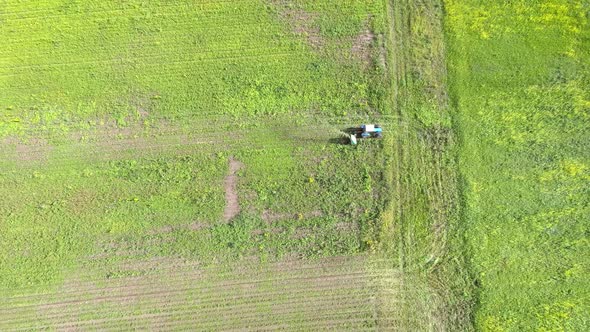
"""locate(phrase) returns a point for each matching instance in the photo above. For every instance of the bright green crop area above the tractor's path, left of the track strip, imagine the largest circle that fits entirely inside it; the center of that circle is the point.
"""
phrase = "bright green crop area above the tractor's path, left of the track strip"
(68, 66)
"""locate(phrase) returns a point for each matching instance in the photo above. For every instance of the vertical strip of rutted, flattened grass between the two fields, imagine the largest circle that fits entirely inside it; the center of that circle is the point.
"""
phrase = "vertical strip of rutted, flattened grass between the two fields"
(426, 229)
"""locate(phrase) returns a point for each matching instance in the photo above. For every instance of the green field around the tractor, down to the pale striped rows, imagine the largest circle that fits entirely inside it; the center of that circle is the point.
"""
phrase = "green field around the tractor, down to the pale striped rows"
(119, 120)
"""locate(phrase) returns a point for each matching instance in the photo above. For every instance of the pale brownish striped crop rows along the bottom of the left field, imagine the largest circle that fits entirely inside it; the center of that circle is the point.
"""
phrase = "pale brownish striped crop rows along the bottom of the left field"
(326, 289)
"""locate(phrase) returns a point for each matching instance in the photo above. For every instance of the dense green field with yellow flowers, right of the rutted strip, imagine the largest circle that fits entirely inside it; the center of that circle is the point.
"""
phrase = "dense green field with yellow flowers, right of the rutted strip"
(521, 82)
